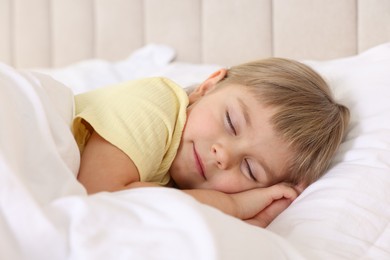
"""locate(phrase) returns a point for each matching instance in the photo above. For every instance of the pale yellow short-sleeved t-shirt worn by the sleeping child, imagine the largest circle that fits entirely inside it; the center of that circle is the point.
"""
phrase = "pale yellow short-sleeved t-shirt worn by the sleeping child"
(144, 118)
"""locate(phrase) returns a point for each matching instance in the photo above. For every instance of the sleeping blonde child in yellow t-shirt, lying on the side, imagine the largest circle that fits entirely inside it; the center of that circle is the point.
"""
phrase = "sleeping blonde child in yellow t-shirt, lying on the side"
(246, 141)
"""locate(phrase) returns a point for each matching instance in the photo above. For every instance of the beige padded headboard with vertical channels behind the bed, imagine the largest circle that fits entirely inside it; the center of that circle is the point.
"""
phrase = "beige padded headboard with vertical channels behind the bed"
(52, 33)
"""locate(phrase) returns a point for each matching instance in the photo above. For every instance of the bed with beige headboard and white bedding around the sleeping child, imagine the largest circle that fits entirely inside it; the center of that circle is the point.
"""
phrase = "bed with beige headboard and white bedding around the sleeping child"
(52, 49)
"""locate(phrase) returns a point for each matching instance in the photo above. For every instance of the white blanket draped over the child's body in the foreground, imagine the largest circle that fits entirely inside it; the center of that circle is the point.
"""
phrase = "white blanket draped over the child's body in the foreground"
(46, 214)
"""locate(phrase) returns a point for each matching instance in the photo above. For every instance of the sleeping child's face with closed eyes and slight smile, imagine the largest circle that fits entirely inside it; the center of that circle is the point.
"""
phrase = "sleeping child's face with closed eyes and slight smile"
(228, 143)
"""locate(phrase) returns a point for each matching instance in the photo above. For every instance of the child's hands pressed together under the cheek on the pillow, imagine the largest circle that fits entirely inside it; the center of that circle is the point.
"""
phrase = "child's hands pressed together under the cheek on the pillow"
(262, 205)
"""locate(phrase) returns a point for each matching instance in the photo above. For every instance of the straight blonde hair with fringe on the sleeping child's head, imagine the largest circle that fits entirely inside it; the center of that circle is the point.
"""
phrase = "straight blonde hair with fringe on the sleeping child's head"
(307, 117)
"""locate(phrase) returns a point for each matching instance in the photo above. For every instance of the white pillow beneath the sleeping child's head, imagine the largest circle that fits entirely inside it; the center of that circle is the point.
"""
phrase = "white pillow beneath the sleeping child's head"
(346, 214)
